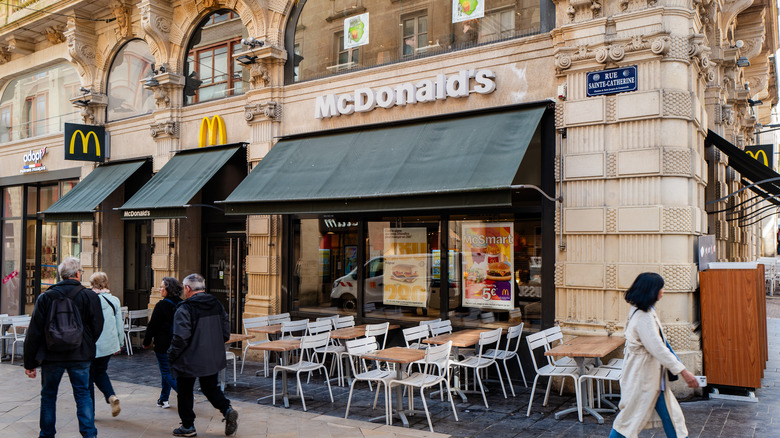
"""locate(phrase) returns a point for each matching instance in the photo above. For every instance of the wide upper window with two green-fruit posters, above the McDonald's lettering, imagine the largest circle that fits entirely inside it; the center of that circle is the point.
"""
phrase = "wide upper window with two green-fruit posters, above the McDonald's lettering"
(327, 37)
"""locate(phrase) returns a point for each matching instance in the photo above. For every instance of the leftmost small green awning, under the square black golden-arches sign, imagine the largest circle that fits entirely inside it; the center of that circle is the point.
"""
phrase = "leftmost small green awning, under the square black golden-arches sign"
(79, 204)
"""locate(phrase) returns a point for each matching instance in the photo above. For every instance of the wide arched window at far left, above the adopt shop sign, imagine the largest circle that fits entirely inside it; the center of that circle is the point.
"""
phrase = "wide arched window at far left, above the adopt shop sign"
(38, 103)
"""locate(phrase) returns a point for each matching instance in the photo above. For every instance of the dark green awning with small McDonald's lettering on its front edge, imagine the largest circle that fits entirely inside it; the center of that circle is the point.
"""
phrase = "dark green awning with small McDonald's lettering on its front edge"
(169, 192)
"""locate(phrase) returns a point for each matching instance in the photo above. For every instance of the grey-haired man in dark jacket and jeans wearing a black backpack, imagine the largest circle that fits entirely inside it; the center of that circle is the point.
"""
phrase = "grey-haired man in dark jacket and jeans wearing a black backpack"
(66, 322)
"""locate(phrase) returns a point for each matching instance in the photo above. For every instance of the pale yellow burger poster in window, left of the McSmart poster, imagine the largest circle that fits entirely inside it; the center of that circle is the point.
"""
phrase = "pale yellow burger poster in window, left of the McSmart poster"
(406, 267)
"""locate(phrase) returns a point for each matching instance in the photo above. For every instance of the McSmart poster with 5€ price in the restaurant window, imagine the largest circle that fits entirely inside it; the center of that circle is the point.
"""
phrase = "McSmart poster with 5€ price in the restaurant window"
(487, 265)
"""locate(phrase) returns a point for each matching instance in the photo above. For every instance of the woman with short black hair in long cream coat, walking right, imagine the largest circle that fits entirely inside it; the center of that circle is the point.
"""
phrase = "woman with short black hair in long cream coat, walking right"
(649, 361)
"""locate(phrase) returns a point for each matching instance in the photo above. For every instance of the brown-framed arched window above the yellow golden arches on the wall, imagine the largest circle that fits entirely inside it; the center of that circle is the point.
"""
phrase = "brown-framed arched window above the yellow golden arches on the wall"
(212, 72)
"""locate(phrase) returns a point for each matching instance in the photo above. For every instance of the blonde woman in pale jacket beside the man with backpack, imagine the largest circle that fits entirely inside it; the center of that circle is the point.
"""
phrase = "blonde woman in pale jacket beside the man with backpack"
(110, 342)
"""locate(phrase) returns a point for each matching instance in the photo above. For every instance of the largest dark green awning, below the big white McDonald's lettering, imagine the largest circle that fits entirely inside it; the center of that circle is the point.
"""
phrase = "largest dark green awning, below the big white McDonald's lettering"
(452, 162)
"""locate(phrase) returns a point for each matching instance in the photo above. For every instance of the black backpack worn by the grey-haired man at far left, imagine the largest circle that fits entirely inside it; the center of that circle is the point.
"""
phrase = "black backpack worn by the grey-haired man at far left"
(64, 329)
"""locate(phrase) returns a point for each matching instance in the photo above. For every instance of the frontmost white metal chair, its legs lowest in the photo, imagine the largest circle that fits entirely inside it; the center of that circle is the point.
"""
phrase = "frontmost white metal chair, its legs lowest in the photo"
(435, 371)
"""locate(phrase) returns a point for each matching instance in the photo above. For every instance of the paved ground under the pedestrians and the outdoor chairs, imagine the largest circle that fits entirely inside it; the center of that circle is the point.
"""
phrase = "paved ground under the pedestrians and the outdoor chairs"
(136, 380)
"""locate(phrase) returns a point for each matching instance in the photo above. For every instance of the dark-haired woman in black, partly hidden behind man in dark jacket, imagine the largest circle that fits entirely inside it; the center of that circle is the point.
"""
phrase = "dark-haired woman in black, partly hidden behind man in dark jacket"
(160, 329)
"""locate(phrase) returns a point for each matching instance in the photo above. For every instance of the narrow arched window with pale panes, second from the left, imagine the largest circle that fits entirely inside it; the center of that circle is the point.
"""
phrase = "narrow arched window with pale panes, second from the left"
(126, 95)
